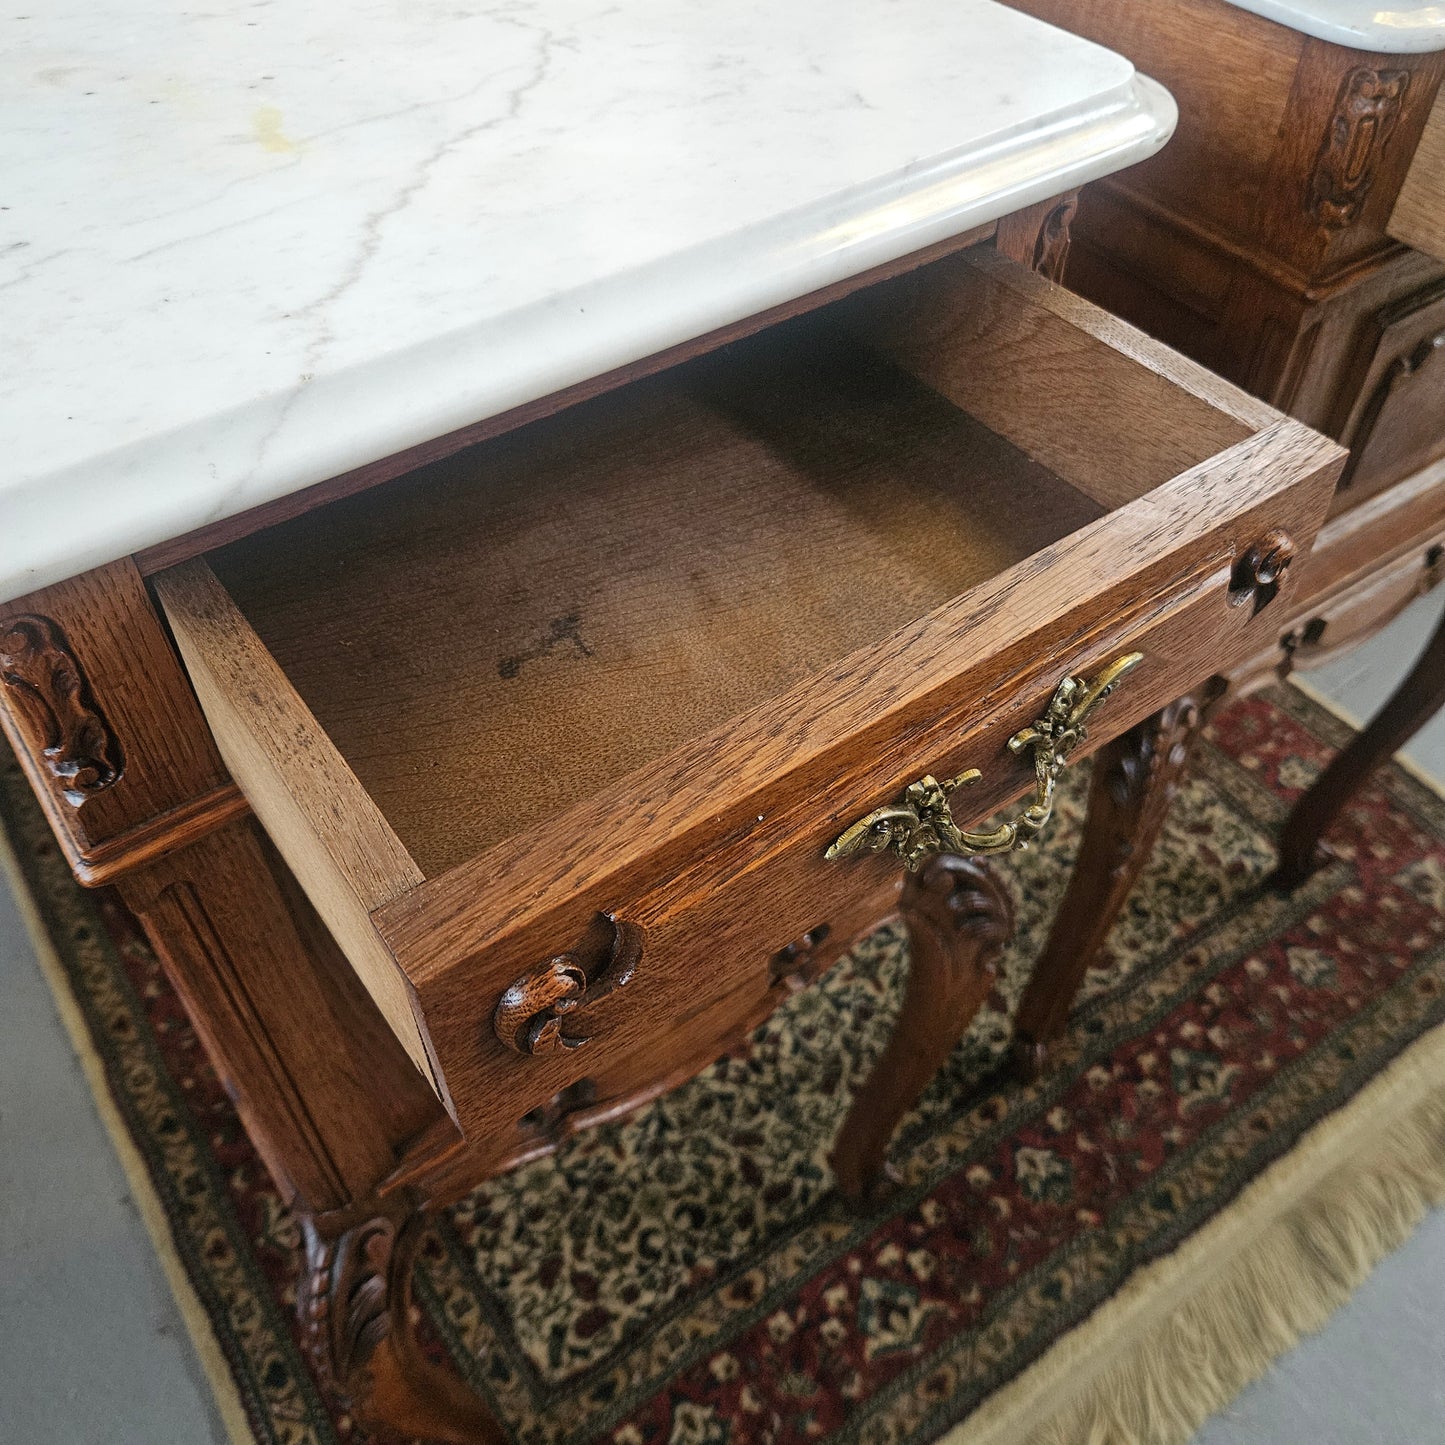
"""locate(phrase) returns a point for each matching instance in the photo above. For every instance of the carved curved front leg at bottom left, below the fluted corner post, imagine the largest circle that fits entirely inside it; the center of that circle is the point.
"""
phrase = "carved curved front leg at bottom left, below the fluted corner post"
(355, 1304)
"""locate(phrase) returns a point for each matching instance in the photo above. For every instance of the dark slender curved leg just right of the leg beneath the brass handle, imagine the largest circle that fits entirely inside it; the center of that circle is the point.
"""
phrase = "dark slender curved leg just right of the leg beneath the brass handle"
(1135, 781)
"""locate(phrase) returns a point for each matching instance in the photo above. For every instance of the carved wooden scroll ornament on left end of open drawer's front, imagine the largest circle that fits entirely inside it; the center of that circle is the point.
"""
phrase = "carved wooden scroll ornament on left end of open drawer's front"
(540, 1011)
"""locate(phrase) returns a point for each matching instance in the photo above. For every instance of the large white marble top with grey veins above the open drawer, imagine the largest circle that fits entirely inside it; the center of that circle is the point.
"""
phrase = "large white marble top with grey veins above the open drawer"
(249, 246)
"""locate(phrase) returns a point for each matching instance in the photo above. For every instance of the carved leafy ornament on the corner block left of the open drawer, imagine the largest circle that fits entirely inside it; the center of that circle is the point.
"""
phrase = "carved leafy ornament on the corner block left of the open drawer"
(54, 699)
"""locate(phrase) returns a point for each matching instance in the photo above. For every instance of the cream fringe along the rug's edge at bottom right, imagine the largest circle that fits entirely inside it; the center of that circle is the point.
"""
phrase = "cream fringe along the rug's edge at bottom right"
(1189, 1333)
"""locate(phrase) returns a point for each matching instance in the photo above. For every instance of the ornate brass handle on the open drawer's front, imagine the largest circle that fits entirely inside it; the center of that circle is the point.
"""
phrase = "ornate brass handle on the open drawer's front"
(923, 824)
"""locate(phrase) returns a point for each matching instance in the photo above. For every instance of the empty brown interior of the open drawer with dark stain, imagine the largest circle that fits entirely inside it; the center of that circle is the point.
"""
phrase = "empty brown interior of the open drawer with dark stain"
(502, 634)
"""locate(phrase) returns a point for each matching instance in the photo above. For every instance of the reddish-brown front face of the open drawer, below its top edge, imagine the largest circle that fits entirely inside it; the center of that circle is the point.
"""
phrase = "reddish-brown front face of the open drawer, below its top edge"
(722, 943)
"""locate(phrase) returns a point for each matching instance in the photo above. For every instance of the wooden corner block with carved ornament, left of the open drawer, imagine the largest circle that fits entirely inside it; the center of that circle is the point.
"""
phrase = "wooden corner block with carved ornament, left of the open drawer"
(105, 723)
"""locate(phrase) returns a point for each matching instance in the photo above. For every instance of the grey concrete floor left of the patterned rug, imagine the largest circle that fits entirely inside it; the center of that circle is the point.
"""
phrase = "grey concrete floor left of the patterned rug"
(93, 1350)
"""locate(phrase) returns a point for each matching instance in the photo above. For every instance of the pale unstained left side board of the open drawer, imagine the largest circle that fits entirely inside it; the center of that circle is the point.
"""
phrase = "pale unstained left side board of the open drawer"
(320, 817)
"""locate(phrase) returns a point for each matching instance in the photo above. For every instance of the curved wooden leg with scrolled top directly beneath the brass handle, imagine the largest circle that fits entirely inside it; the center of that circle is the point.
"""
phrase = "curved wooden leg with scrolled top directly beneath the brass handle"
(959, 920)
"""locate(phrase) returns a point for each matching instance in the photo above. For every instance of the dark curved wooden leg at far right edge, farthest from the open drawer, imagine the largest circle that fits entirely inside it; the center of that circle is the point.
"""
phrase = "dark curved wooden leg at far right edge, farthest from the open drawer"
(1418, 699)
